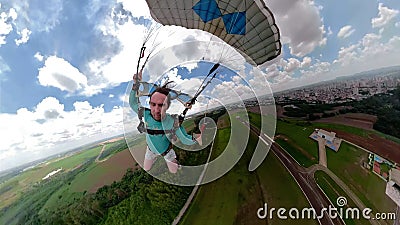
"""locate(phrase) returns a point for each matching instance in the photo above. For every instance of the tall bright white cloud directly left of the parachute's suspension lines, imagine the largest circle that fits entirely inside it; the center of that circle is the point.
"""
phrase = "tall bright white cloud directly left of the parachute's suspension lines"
(111, 70)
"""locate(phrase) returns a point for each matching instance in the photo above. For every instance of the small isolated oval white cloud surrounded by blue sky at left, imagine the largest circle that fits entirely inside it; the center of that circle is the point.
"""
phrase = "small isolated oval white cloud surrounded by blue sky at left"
(59, 73)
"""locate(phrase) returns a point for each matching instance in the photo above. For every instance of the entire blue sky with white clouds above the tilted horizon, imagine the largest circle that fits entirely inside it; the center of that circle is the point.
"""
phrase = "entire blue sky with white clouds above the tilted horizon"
(66, 66)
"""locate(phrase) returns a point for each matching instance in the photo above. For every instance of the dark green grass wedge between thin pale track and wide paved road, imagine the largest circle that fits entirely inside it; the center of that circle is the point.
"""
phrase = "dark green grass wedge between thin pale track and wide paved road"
(236, 197)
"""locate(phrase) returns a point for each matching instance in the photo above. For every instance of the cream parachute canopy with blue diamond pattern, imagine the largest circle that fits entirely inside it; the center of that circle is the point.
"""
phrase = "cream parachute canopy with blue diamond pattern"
(247, 25)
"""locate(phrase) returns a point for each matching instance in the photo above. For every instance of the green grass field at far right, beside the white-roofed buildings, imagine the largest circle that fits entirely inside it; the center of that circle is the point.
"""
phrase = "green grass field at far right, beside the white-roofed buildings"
(347, 165)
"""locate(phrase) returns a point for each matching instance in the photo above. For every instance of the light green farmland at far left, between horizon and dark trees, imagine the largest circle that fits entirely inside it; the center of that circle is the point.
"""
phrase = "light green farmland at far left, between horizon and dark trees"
(79, 174)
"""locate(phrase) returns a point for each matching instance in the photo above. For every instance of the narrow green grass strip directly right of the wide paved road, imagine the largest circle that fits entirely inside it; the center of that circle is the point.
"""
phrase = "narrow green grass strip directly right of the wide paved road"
(333, 191)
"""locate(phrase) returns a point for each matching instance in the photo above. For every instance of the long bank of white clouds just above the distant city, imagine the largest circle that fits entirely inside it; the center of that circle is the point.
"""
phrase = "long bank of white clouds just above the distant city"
(371, 52)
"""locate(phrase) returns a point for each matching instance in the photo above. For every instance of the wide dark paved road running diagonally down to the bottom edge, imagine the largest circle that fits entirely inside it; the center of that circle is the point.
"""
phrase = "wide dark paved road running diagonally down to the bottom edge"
(306, 182)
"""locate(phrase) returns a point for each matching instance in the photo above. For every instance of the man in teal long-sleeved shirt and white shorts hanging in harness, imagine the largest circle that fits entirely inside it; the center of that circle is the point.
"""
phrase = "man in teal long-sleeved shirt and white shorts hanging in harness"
(158, 120)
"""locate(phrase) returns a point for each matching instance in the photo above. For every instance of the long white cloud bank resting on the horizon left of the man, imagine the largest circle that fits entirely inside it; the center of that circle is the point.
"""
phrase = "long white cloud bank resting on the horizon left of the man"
(49, 129)
